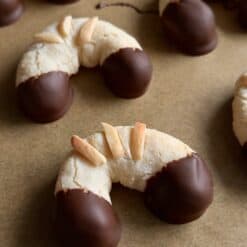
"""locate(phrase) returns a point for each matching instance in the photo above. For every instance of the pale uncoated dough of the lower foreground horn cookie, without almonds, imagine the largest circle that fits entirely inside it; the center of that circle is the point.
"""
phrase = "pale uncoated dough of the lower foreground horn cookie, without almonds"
(159, 150)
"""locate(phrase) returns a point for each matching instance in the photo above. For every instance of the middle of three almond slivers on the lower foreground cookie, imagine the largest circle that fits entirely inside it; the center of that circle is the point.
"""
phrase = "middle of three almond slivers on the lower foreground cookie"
(113, 141)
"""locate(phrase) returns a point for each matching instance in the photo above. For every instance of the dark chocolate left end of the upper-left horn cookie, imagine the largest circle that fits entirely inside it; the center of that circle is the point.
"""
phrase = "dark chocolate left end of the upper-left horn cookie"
(45, 98)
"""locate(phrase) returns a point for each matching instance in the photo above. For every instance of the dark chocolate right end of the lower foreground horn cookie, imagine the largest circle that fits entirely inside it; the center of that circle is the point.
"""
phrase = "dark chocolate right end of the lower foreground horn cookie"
(181, 192)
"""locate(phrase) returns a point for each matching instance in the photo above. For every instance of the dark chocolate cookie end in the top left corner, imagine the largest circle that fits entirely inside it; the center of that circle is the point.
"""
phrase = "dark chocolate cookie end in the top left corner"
(10, 11)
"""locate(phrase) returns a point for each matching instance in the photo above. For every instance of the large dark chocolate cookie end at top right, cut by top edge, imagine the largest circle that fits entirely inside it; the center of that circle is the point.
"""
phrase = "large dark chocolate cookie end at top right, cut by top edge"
(190, 26)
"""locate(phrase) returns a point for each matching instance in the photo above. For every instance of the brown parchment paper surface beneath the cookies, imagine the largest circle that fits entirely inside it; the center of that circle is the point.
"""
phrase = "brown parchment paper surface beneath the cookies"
(190, 97)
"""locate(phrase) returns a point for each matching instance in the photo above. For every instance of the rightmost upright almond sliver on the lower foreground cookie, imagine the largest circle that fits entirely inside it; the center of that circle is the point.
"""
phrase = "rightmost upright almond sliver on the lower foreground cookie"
(138, 140)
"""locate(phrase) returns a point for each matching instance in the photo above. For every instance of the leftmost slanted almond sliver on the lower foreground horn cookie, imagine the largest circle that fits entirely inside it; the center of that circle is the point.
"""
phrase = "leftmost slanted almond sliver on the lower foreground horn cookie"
(88, 151)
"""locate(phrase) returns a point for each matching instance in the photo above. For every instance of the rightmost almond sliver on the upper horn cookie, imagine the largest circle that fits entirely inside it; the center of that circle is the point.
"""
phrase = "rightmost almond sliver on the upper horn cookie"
(86, 31)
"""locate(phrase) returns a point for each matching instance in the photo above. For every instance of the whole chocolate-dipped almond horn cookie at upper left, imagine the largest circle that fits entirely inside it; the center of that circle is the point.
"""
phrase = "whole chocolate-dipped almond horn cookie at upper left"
(42, 81)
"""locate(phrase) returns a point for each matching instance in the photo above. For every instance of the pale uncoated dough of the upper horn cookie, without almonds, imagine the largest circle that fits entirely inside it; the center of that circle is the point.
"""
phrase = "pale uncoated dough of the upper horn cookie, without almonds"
(67, 55)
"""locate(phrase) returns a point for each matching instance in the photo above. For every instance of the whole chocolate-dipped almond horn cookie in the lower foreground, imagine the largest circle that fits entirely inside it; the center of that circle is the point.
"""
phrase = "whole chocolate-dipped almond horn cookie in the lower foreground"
(176, 183)
